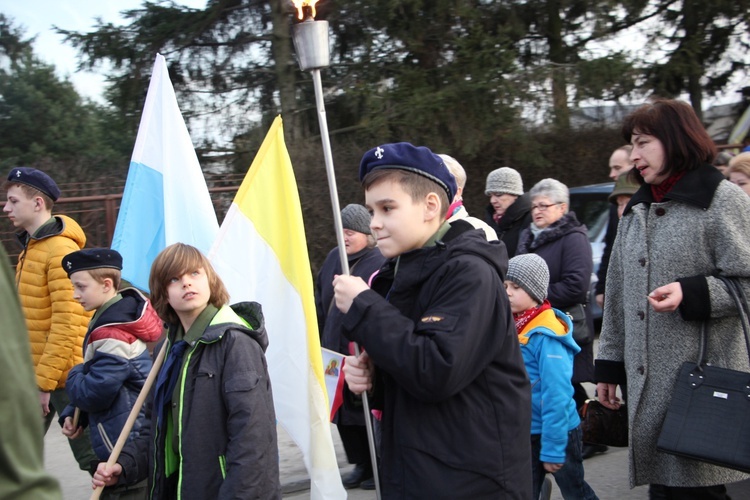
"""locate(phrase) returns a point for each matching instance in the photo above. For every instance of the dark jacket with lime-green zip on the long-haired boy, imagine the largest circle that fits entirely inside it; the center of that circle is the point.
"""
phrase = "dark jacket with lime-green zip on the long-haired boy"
(228, 438)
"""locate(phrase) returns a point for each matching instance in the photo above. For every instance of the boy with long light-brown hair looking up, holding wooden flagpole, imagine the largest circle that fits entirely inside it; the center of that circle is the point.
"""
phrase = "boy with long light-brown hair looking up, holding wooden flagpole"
(213, 426)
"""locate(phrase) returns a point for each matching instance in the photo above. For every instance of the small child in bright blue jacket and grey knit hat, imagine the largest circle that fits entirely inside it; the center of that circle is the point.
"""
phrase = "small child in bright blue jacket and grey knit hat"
(547, 345)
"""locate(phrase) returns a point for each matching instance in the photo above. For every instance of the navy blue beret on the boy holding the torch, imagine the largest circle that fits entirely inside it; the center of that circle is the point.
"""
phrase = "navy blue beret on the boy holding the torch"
(417, 159)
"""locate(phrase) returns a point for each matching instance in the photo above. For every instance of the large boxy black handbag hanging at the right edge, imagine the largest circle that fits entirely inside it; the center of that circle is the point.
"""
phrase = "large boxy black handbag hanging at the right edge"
(709, 416)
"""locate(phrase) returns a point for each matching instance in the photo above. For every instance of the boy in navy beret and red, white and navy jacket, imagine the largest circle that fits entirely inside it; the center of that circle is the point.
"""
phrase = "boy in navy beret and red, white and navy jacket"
(116, 358)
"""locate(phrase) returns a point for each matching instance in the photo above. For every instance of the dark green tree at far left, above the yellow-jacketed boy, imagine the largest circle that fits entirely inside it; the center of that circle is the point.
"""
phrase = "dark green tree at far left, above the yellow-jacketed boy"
(43, 118)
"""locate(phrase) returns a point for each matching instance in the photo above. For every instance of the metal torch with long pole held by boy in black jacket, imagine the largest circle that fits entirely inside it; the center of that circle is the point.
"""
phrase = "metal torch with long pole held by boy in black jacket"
(311, 41)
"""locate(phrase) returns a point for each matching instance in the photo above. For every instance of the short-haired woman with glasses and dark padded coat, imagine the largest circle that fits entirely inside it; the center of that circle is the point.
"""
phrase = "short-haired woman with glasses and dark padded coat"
(557, 236)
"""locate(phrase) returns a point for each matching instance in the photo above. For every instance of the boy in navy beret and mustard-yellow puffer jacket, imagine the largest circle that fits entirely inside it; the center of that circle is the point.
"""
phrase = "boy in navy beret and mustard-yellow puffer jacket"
(57, 323)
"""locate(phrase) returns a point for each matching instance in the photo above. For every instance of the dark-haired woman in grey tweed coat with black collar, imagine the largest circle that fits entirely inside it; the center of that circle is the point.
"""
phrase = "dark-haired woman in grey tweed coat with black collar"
(685, 225)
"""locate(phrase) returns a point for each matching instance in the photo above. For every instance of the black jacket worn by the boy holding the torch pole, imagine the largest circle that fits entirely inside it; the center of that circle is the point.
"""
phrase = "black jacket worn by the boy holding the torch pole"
(450, 377)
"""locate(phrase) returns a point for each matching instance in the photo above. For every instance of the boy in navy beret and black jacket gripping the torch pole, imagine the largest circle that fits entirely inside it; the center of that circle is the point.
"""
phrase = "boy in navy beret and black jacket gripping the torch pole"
(440, 351)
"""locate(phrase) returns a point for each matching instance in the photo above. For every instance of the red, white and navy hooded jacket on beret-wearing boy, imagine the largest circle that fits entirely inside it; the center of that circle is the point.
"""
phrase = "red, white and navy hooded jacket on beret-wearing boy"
(116, 364)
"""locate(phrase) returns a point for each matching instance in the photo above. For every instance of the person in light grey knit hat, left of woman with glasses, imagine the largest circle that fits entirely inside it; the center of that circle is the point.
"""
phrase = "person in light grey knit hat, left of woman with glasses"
(509, 210)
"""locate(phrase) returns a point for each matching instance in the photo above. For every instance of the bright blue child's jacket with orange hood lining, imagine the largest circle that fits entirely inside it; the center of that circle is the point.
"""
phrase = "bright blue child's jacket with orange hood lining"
(548, 348)
